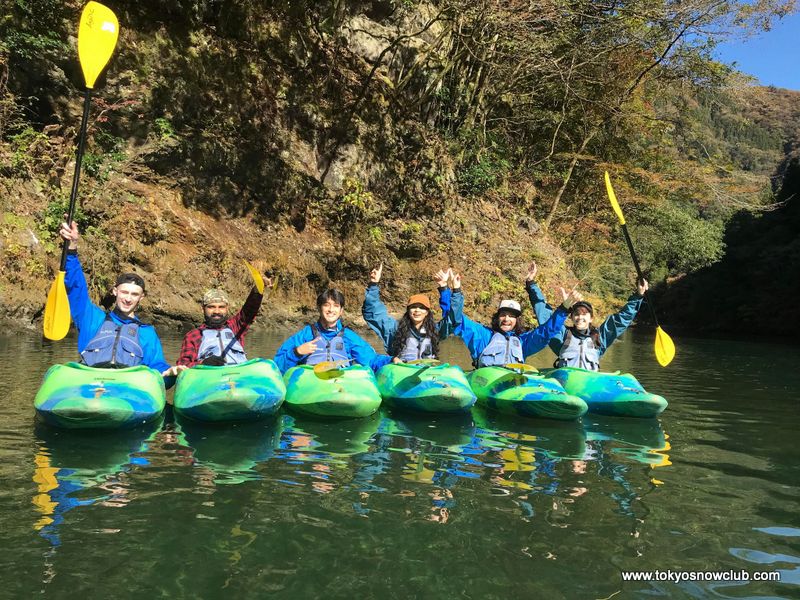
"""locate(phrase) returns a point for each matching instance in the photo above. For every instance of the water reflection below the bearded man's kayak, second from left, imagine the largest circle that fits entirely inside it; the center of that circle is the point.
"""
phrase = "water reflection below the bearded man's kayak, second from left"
(232, 450)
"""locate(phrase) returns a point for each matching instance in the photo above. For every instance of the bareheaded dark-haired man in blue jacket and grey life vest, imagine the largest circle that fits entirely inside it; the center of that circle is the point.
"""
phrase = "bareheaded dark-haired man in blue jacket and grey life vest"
(328, 340)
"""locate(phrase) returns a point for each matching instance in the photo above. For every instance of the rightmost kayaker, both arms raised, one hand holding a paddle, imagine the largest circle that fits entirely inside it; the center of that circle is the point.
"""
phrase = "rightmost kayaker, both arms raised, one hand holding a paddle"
(582, 345)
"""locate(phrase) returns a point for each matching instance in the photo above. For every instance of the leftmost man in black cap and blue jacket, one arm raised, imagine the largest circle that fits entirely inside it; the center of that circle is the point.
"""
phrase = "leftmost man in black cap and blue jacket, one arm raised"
(117, 338)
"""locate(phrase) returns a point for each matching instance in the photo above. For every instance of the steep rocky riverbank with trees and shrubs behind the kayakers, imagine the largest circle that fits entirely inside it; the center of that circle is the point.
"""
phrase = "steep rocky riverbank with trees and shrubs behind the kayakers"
(322, 138)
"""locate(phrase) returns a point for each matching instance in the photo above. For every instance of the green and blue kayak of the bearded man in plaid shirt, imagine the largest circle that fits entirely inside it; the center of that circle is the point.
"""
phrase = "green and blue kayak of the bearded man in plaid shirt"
(251, 390)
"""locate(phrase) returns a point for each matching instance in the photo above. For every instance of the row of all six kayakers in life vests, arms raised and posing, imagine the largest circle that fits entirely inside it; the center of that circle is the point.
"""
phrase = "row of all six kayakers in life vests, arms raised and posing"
(117, 338)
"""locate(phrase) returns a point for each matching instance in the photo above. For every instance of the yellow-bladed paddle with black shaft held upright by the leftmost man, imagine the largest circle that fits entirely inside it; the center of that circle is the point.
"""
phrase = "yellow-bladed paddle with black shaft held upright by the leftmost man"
(97, 37)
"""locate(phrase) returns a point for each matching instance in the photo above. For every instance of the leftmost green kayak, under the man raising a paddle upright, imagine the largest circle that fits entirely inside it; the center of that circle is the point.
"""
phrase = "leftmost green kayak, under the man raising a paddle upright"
(80, 397)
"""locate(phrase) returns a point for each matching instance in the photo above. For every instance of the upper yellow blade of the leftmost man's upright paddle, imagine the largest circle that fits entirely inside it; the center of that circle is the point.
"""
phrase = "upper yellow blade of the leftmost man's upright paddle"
(97, 38)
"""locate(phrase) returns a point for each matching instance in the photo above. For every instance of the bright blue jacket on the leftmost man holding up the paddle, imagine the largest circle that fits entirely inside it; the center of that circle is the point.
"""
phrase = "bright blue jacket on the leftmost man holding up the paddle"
(89, 317)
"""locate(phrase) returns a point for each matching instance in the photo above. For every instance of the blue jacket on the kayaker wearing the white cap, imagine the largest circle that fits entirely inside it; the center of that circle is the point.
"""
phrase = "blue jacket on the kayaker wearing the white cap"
(477, 336)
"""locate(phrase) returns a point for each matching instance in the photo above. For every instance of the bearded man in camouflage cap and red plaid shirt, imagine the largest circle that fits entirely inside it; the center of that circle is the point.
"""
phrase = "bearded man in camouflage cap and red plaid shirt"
(220, 339)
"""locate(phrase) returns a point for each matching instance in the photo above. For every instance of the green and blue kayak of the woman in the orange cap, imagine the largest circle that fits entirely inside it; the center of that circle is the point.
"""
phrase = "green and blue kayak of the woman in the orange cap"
(440, 388)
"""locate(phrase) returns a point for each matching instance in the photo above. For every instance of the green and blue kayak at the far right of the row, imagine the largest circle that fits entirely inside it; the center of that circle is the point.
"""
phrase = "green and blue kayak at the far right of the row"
(616, 394)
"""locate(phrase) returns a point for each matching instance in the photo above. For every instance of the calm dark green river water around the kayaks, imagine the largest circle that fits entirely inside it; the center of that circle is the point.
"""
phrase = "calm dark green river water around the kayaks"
(402, 507)
